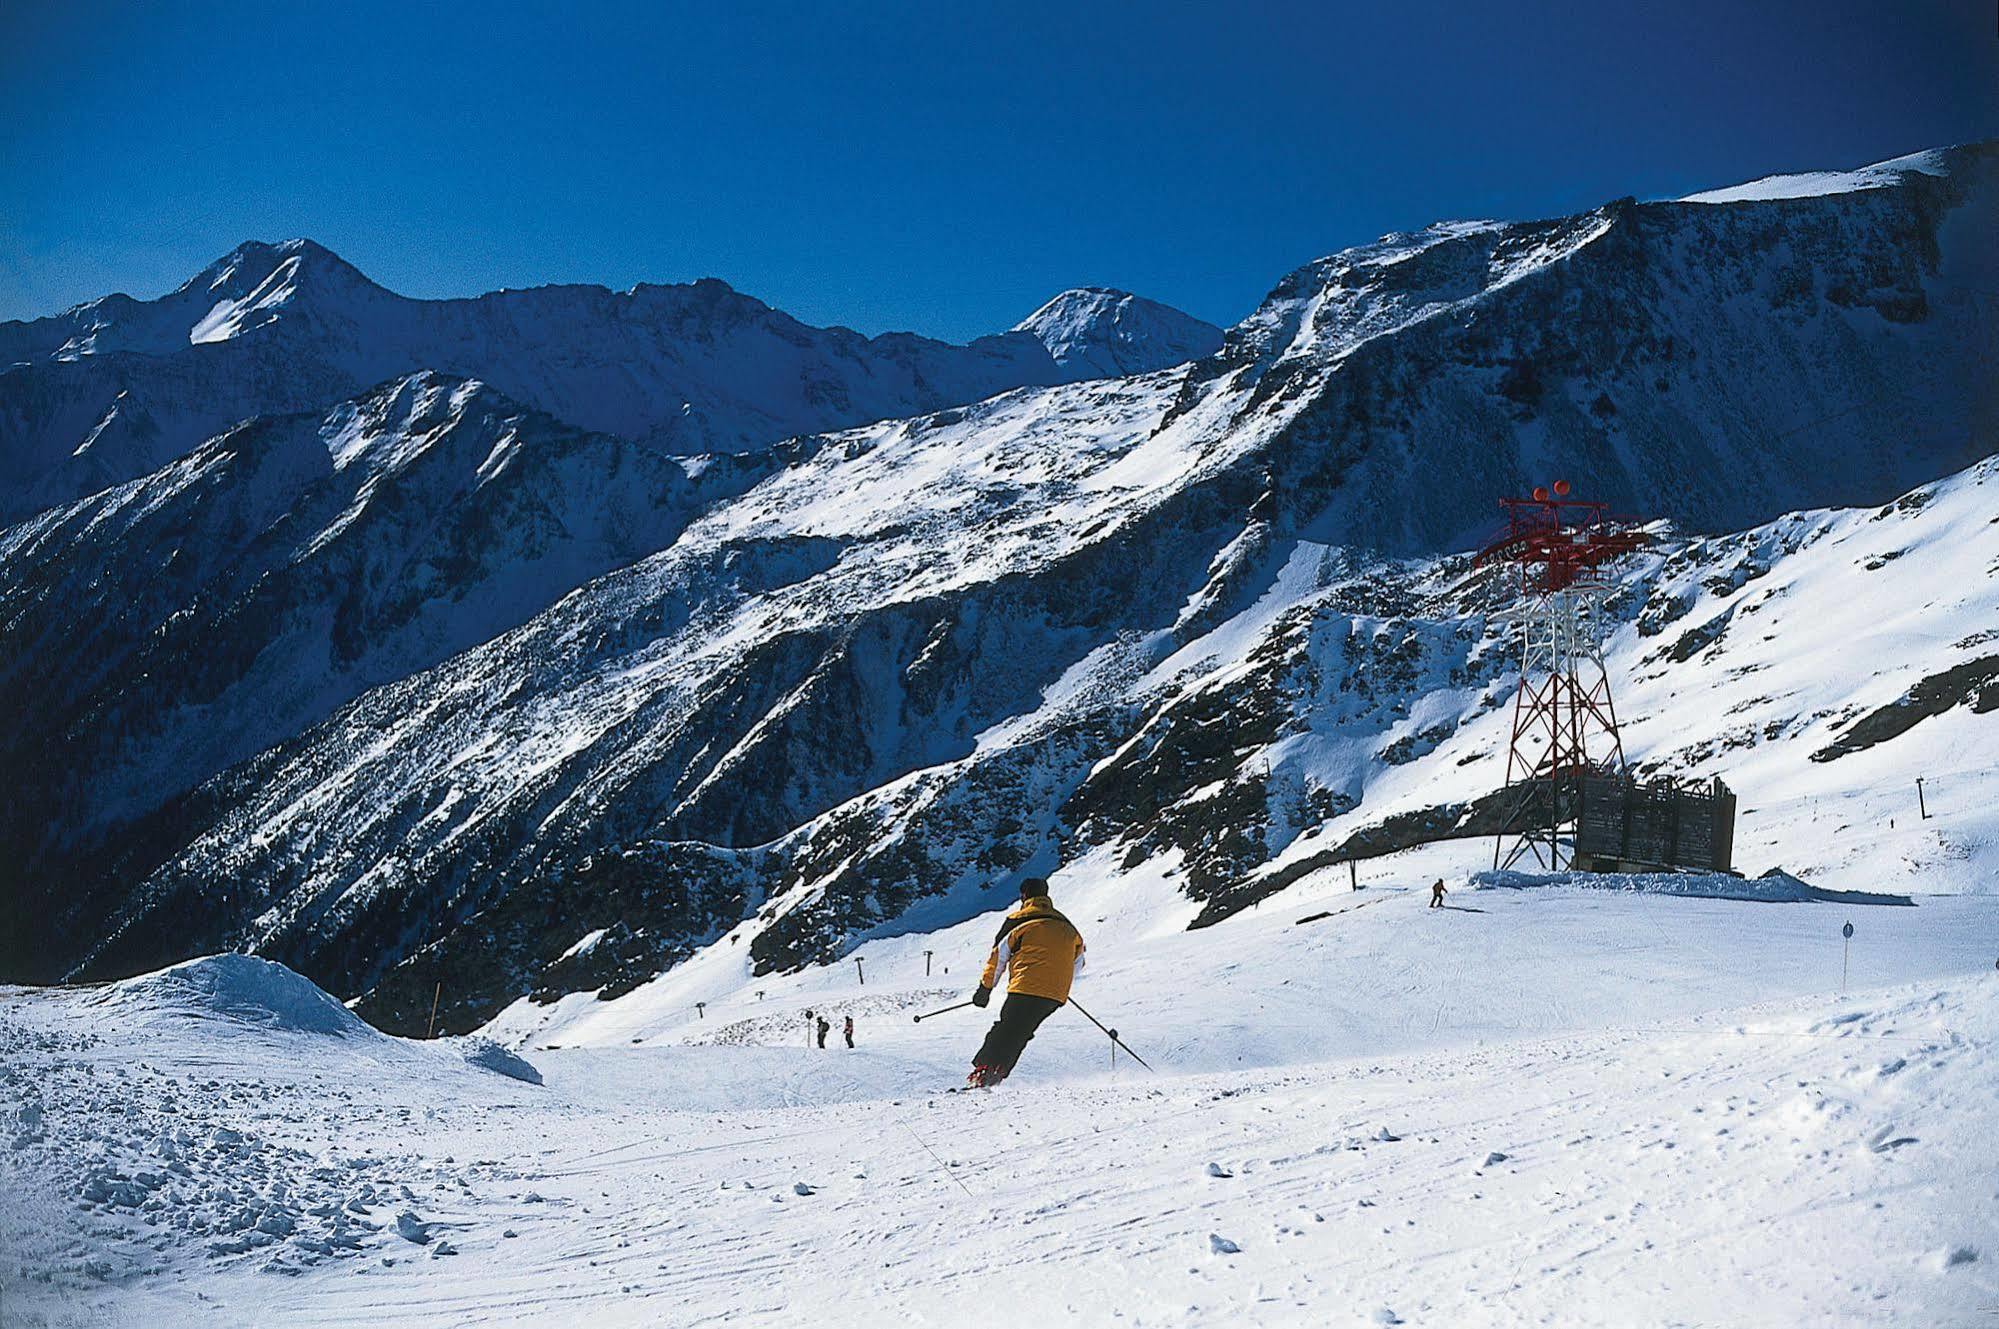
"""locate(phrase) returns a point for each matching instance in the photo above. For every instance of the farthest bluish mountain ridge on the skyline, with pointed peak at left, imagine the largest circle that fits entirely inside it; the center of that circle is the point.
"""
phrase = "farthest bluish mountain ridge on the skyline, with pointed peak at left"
(115, 389)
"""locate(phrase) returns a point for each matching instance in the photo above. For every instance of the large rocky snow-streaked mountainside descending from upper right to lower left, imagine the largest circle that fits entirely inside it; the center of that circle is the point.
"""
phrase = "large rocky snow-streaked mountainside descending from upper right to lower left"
(1204, 619)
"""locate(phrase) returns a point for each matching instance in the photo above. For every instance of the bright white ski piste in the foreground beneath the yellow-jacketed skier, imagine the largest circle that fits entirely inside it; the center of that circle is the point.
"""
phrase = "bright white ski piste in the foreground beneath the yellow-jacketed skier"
(1536, 1106)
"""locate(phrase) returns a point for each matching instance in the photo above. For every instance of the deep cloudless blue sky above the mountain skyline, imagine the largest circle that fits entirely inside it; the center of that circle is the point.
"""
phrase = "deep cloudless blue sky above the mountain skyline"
(931, 167)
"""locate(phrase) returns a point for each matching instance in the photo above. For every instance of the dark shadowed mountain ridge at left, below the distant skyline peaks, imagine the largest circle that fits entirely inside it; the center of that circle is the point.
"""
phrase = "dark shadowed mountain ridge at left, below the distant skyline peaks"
(173, 627)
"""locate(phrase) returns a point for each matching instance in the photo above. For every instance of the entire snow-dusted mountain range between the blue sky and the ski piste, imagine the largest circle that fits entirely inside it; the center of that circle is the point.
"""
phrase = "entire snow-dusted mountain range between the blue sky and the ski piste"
(411, 643)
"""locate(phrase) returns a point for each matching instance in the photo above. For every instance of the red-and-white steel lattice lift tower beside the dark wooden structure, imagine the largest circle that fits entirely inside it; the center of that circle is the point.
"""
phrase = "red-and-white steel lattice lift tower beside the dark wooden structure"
(1564, 722)
